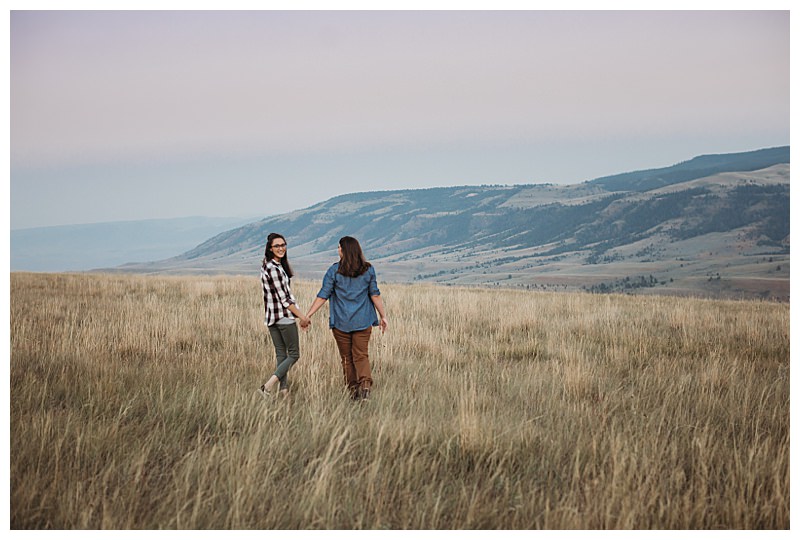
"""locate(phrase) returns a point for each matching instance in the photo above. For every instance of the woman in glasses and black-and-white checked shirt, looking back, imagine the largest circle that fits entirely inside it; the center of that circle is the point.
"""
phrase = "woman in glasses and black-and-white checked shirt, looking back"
(280, 312)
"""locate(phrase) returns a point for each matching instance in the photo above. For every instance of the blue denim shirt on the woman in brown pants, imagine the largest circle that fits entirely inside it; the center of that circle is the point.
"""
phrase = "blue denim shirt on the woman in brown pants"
(351, 307)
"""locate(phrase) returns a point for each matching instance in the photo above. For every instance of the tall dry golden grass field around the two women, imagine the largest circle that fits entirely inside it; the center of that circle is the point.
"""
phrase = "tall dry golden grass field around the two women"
(134, 406)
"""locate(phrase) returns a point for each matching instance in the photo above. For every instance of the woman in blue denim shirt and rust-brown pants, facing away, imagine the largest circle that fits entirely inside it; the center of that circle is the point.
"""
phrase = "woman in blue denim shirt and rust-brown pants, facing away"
(352, 288)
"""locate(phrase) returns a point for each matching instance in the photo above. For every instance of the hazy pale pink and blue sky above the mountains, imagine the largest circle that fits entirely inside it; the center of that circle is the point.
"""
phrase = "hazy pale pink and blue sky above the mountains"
(150, 114)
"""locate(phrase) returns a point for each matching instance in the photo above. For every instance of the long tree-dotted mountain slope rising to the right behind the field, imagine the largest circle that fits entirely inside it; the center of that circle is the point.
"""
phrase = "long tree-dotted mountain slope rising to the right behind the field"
(716, 225)
